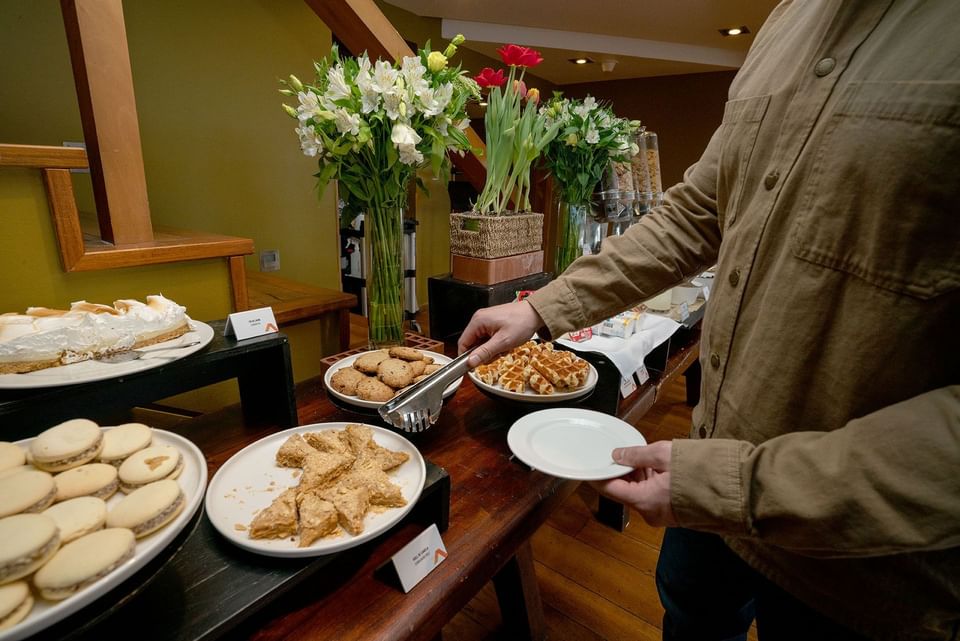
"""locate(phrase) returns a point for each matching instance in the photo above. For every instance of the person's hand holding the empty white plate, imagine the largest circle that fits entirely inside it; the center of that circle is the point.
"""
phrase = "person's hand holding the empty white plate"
(647, 487)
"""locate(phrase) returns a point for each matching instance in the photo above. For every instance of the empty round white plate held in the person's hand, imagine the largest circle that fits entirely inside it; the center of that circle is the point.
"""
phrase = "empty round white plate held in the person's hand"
(572, 443)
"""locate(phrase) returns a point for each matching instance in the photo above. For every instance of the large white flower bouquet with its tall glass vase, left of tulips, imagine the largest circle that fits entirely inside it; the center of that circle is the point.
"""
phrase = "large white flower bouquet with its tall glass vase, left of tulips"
(371, 126)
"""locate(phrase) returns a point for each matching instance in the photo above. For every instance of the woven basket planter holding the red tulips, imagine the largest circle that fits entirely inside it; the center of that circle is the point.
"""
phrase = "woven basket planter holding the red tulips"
(495, 236)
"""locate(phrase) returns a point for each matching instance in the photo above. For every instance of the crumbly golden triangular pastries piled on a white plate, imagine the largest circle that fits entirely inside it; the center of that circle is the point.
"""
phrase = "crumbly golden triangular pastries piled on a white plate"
(344, 475)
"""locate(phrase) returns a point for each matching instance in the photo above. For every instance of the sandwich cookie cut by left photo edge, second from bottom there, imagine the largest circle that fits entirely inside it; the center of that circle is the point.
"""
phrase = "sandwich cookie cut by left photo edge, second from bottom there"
(29, 541)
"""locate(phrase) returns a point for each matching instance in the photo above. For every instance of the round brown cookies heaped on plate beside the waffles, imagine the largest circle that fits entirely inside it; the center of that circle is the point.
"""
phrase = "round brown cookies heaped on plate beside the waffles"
(378, 376)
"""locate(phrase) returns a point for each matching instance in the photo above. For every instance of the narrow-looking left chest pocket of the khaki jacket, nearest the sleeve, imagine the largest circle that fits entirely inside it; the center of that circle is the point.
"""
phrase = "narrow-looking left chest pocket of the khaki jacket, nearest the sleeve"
(740, 125)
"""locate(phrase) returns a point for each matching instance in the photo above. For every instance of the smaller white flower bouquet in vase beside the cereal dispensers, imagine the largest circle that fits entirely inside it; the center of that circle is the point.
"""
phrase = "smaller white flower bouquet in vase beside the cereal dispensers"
(590, 137)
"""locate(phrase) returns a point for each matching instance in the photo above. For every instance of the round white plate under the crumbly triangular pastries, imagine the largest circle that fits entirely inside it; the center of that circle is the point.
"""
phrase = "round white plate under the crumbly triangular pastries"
(251, 479)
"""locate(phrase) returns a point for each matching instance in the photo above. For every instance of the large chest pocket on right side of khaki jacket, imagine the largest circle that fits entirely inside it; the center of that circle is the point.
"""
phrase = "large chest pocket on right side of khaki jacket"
(883, 192)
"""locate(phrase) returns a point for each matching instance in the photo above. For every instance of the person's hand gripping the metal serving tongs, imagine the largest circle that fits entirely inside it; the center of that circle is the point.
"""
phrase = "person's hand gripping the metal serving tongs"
(504, 326)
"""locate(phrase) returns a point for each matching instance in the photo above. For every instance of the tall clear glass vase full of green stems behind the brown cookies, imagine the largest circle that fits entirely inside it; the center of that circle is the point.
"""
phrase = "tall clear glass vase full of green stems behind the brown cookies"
(383, 271)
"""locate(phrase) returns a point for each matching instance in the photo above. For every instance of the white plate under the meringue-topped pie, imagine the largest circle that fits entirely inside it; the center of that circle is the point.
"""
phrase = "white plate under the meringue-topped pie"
(89, 371)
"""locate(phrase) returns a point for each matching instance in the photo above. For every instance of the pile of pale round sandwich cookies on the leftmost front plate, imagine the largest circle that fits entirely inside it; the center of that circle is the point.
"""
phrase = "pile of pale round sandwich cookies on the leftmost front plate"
(56, 527)
